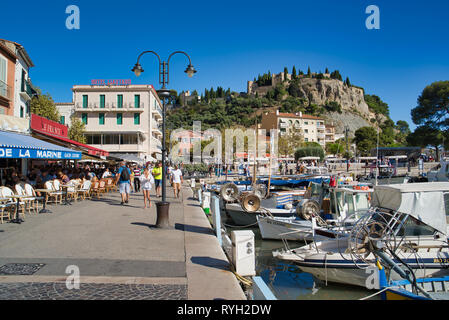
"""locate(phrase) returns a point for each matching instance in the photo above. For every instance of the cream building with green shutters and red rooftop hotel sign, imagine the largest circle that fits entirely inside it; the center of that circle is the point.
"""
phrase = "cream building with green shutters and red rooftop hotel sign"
(119, 117)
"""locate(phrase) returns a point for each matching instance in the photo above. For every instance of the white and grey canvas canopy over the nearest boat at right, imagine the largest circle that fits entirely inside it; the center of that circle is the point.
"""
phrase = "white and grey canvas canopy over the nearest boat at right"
(423, 201)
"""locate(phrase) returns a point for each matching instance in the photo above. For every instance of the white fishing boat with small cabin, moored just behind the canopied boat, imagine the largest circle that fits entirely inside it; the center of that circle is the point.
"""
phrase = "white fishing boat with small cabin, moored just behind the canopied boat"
(345, 206)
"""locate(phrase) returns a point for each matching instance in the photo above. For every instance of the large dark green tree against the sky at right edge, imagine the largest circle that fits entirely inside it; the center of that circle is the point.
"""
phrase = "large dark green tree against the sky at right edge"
(433, 106)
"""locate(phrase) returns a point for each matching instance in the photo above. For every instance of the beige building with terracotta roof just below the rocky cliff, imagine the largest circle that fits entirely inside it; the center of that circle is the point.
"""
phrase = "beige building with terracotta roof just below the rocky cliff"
(312, 128)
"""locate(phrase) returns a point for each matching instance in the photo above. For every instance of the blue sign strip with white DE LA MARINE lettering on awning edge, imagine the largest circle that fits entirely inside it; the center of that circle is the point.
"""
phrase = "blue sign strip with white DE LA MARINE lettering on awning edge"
(24, 153)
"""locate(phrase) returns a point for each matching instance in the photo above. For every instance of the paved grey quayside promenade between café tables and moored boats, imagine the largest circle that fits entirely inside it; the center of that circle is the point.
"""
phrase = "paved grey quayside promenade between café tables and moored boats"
(118, 251)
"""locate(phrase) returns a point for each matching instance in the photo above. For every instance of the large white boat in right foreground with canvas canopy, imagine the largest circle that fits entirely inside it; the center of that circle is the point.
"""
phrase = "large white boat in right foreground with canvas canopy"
(411, 216)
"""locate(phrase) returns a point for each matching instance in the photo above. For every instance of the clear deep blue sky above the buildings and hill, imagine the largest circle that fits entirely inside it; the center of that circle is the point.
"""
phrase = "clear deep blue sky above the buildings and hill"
(231, 42)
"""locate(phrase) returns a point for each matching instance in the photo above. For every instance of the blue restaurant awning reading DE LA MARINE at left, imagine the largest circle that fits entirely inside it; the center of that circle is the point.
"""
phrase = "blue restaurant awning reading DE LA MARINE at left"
(21, 146)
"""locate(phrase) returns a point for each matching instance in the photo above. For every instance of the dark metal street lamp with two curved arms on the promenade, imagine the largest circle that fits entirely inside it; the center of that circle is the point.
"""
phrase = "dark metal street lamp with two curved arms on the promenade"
(164, 94)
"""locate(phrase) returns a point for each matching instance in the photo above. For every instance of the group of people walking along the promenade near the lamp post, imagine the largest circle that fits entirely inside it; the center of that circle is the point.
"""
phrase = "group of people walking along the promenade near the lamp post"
(145, 180)
